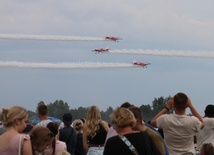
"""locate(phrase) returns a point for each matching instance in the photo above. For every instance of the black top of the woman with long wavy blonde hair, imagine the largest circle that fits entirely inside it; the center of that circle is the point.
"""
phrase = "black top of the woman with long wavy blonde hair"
(100, 136)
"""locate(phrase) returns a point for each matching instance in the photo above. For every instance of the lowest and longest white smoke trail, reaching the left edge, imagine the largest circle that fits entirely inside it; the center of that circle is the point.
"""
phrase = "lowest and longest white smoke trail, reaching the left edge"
(63, 65)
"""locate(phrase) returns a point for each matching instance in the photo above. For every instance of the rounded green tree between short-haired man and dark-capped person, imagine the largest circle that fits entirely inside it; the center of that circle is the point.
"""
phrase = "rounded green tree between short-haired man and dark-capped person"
(58, 108)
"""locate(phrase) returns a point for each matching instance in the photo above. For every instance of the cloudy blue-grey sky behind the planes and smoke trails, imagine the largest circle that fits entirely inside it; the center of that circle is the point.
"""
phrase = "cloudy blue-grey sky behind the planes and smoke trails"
(175, 26)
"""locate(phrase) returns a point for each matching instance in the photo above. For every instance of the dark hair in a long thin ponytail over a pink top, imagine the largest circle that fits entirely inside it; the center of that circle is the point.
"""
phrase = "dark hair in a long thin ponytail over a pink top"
(53, 127)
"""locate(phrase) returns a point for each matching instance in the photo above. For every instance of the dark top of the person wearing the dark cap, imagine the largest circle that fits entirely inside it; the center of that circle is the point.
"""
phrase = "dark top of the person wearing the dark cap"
(69, 136)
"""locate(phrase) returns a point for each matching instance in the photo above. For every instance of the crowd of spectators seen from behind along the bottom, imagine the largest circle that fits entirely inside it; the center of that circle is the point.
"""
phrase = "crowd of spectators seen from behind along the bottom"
(127, 134)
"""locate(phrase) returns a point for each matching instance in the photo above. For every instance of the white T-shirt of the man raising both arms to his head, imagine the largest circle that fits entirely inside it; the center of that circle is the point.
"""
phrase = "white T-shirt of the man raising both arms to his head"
(179, 131)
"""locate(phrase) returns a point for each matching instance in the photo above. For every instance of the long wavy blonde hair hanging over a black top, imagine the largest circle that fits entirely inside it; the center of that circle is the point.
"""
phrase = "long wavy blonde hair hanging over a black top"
(92, 120)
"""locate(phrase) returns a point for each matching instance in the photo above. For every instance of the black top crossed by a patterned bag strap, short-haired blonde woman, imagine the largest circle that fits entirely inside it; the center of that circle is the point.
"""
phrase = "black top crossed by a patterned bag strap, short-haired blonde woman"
(141, 141)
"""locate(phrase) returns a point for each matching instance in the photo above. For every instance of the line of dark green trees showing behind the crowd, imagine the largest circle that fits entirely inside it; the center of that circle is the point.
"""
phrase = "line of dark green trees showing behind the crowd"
(59, 107)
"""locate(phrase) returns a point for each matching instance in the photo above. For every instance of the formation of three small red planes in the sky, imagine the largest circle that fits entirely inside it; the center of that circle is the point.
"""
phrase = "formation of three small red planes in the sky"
(115, 39)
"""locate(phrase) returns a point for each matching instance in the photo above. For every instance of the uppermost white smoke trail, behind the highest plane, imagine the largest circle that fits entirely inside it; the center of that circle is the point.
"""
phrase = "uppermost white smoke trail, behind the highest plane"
(47, 37)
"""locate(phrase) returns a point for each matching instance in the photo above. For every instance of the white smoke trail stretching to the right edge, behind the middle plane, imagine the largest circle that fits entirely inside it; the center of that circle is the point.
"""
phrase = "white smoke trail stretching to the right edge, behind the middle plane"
(172, 53)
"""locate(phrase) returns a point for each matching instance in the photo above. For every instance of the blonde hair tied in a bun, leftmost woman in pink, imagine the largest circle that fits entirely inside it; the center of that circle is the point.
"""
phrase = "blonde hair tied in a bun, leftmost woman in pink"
(9, 116)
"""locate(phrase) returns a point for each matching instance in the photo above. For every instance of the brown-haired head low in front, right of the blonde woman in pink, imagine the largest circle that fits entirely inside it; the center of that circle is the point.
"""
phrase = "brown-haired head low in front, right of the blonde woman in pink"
(41, 137)
